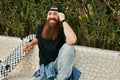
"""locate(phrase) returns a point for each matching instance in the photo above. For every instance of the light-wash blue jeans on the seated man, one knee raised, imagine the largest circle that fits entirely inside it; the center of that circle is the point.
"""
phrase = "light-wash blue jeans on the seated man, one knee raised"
(63, 63)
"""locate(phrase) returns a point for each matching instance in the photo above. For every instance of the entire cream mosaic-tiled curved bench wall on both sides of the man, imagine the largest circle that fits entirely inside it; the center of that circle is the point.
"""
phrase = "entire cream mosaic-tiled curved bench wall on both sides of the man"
(95, 64)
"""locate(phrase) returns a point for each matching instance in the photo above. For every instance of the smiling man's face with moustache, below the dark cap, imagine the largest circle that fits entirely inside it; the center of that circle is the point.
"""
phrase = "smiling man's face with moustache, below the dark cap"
(52, 17)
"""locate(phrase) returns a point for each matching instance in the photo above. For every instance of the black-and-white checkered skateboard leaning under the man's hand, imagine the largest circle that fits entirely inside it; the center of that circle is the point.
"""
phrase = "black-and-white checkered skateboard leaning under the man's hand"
(14, 58)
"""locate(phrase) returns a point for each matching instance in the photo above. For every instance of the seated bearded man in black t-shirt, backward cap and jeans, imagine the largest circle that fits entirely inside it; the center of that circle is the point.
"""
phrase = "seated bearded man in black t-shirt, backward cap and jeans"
(55, 40)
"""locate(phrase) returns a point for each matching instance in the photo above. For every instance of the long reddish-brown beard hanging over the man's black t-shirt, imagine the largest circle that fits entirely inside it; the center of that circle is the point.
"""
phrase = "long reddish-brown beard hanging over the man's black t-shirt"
(51, 30)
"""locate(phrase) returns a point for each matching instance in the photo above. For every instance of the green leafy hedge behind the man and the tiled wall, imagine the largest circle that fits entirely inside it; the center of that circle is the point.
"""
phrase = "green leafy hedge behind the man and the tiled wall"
(96, 22)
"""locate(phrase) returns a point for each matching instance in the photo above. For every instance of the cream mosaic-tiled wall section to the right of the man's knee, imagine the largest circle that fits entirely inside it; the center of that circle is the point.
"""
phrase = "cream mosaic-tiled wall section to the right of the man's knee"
(98, 64)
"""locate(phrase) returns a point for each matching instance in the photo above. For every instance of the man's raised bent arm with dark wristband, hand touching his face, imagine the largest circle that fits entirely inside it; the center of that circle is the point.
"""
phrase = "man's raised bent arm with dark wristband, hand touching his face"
(69, 33)
